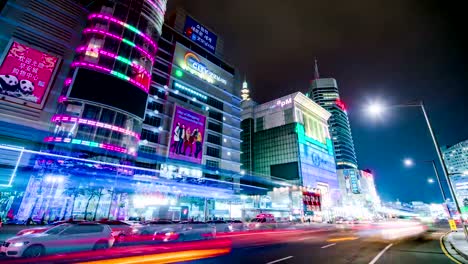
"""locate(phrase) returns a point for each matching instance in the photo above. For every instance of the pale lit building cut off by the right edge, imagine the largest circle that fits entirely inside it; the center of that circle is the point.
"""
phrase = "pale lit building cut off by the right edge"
(456, 161)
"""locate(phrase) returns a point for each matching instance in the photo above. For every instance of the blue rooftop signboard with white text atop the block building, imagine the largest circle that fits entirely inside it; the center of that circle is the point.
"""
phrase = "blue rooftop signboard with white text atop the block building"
(200, 35)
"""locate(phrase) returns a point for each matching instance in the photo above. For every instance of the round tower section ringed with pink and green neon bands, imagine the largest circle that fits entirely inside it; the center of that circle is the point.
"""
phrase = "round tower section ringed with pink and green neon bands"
(104, 98)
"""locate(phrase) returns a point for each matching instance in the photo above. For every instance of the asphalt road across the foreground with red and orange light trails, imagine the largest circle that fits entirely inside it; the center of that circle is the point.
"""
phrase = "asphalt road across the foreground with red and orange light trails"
(325, 244)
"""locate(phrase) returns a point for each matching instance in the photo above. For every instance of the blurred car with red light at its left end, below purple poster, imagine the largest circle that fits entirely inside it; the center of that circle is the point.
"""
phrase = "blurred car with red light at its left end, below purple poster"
(186, 230)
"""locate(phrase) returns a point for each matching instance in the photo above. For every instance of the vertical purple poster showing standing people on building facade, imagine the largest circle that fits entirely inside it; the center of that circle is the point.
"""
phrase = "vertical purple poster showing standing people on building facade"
(187, 135)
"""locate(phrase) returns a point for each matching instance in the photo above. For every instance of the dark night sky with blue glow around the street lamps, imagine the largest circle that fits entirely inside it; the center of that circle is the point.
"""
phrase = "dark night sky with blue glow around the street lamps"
(392, 51)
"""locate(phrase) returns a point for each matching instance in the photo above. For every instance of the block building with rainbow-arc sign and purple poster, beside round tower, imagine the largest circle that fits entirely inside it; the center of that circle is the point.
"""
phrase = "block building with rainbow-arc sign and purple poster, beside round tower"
(190, 75)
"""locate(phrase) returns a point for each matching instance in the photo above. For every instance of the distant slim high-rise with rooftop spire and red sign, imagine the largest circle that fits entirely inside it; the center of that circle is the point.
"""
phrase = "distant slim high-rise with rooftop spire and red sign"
(324, 91)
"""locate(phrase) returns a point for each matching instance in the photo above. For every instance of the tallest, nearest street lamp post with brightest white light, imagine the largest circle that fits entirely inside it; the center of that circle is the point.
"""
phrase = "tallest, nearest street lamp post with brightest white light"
(376, 109)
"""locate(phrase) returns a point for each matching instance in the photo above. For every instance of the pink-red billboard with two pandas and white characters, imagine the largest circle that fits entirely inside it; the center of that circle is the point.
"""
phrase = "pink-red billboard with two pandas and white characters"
(26, 74)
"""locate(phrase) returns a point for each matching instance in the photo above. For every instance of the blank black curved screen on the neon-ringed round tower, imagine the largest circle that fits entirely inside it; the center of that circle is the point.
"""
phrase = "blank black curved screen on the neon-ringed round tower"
(109, 90)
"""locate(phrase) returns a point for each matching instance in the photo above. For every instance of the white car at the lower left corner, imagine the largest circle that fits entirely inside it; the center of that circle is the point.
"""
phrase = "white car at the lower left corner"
(63, 238)
